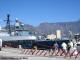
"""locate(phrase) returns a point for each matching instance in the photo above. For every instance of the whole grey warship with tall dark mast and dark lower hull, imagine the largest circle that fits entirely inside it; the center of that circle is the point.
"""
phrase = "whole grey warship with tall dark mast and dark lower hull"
(14, 35)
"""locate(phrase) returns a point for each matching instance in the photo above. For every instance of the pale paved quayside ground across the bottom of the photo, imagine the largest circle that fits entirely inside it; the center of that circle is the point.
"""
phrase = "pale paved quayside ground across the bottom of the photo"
(16, 54)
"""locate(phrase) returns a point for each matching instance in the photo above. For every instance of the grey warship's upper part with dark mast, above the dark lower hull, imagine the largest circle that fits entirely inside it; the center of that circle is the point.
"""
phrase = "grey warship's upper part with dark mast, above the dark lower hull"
(16, 31)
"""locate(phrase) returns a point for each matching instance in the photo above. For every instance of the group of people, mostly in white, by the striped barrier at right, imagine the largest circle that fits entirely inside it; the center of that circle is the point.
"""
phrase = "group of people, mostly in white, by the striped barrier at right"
(70, 46)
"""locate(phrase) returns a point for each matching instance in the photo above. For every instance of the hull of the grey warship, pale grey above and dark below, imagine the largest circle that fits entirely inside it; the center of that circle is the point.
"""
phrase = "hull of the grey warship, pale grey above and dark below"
(15, 41)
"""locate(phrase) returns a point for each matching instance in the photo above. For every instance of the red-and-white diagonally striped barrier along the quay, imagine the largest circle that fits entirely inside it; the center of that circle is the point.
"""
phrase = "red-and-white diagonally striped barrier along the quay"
(50, 52)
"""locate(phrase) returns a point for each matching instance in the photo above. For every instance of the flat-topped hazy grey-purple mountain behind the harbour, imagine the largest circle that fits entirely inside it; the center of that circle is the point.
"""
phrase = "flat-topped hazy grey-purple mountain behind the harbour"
(49, 28)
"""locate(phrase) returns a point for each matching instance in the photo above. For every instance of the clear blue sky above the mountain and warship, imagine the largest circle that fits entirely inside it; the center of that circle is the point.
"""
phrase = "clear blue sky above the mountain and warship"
(34, 12)
